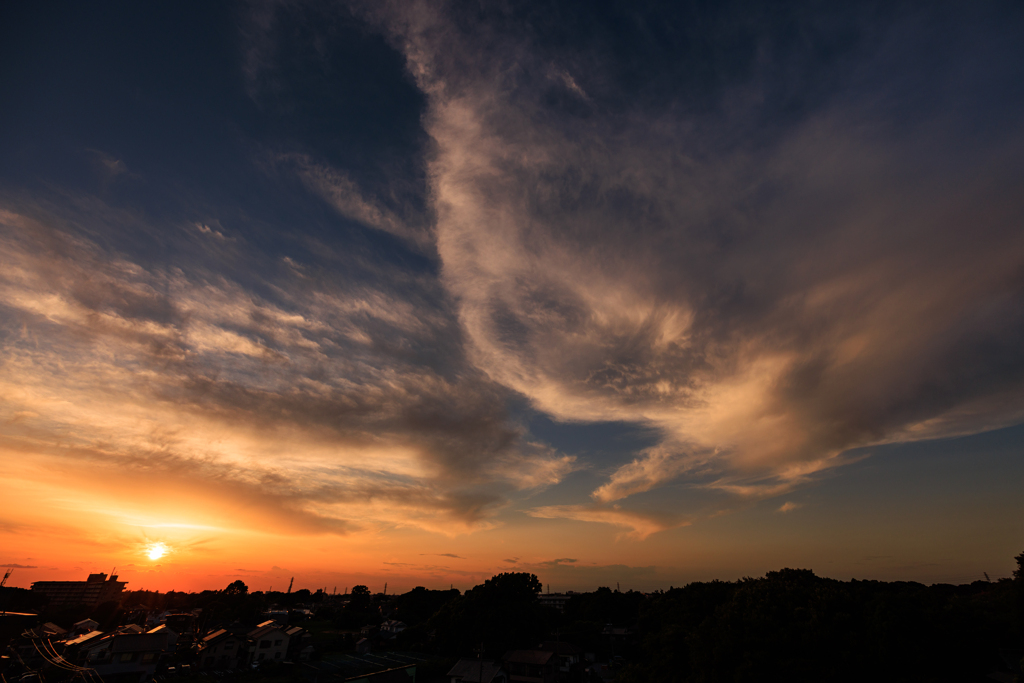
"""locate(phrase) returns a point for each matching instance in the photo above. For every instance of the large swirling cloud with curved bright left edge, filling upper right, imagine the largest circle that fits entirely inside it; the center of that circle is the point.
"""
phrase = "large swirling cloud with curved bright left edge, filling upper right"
(766, 292)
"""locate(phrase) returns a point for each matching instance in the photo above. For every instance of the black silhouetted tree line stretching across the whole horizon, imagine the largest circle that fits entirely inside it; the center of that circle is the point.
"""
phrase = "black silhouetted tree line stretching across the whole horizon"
(790, 625)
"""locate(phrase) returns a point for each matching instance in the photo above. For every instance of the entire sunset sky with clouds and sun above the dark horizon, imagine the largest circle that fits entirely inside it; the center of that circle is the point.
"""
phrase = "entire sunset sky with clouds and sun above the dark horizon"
(415, 293)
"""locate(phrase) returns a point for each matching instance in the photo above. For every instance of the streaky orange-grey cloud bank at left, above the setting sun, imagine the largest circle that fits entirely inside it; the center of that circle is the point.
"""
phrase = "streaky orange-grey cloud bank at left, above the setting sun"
(321, 407)
